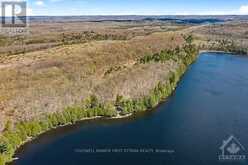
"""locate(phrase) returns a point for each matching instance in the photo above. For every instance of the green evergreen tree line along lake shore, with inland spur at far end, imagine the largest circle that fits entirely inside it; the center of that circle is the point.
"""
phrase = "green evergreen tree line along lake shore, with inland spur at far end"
(14, 136)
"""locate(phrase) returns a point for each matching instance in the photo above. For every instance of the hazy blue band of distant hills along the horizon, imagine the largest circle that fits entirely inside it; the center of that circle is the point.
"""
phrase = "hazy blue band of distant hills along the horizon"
(176, 19)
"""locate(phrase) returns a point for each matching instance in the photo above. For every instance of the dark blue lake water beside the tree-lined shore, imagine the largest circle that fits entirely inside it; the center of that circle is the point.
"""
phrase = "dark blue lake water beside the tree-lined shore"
(209, 105)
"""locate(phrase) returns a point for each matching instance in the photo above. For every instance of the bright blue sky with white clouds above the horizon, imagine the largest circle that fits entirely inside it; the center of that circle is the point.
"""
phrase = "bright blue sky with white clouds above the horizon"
(136, 7)
